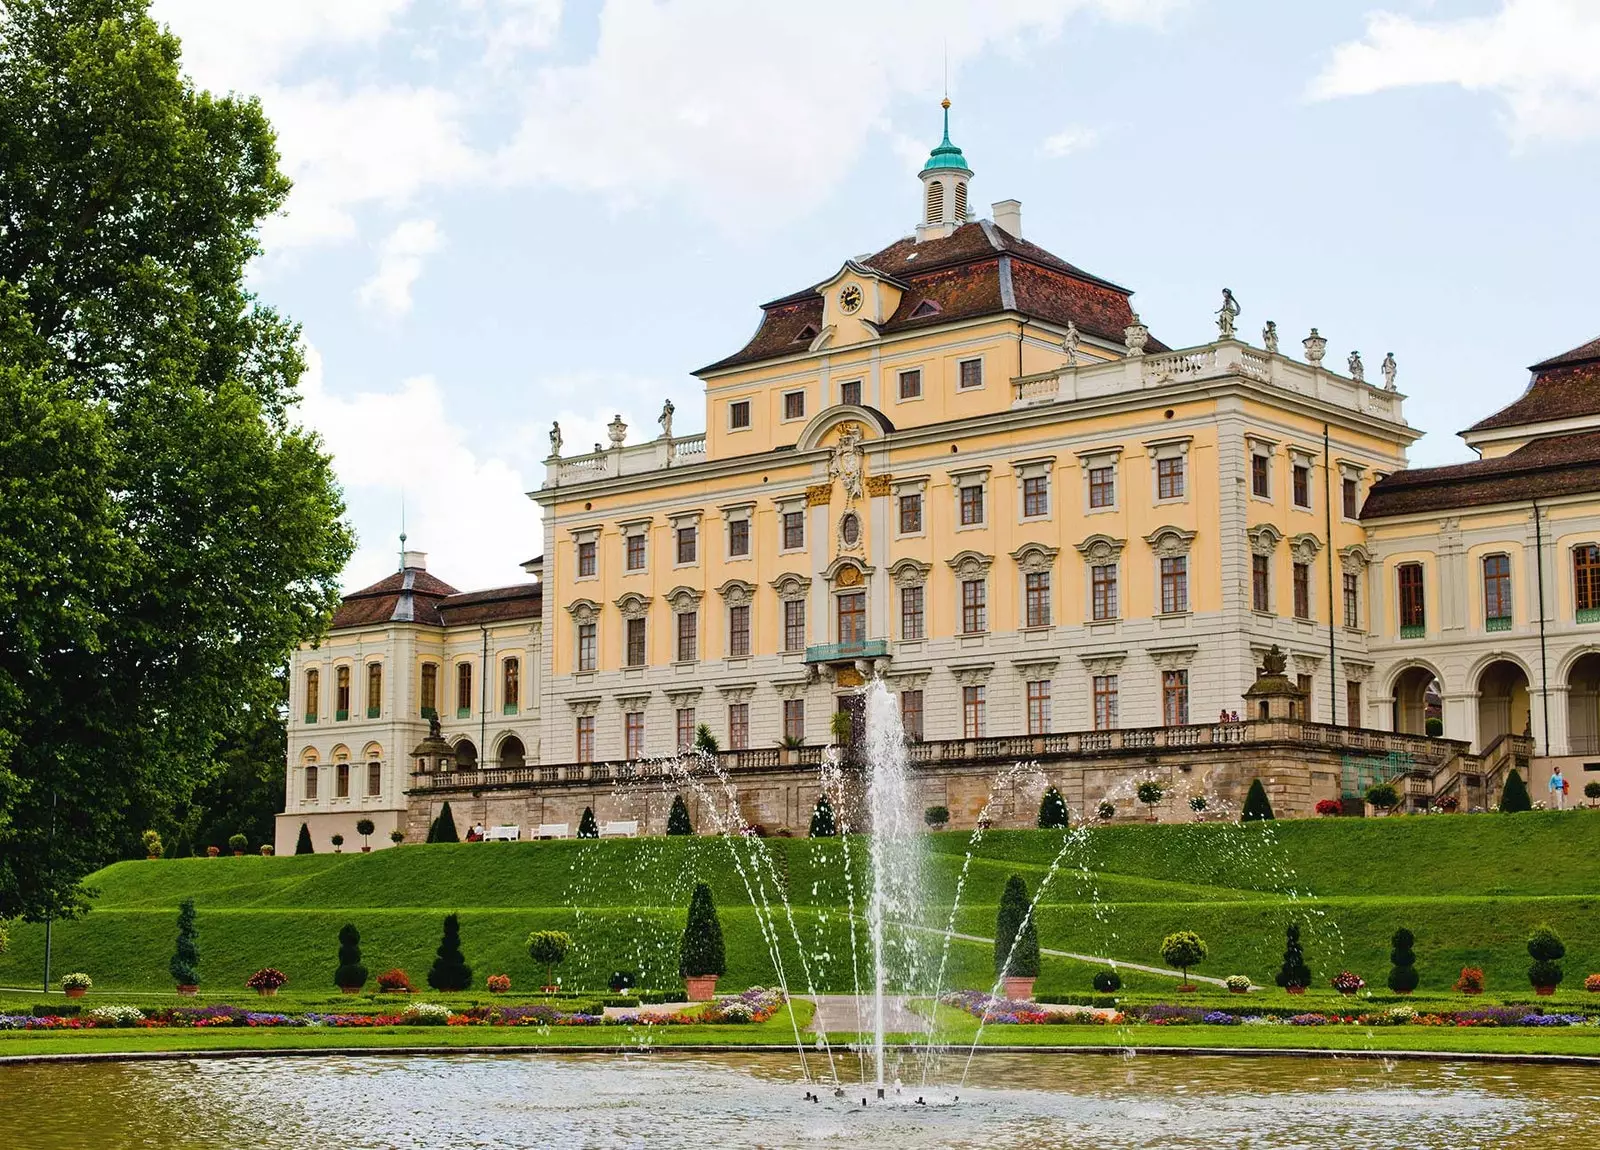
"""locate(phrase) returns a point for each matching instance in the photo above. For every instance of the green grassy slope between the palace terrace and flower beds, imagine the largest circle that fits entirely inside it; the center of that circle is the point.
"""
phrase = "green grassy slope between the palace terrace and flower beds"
(1462, 884)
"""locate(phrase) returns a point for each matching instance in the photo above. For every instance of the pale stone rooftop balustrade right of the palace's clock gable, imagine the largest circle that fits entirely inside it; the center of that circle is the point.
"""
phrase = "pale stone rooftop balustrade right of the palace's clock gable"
(1228, 357)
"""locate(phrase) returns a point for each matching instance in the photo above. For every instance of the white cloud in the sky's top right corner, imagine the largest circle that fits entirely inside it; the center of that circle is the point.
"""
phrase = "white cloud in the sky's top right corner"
(1540, 57)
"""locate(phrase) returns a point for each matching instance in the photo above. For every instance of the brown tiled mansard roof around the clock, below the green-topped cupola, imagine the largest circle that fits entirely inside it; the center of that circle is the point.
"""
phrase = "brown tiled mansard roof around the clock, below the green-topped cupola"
(978, 270)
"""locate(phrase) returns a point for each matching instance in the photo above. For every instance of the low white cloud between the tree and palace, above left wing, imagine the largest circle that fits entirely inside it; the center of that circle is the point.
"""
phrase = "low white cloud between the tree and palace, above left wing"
(466, 508)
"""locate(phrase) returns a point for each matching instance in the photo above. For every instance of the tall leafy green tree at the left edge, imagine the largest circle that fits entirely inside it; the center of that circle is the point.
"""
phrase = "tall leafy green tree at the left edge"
(169, 533)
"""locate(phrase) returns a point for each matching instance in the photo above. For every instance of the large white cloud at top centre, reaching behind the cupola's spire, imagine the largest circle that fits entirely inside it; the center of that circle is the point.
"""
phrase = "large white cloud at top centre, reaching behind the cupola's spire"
(721, 102)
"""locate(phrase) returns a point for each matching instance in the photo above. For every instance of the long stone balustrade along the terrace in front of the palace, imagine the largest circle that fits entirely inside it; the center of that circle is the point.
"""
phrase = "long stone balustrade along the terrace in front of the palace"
(993, 749)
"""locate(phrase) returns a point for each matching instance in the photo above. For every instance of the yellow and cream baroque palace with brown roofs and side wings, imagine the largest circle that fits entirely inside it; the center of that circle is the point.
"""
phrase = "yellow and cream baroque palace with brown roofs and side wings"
(969, 468)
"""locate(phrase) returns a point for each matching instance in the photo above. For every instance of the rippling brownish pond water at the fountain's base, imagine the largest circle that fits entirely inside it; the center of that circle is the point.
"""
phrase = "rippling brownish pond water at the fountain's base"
(1087, 1103)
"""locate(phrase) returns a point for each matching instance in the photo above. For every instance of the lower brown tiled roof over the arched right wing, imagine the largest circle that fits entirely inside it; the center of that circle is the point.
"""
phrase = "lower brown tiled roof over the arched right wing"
(1553, 466)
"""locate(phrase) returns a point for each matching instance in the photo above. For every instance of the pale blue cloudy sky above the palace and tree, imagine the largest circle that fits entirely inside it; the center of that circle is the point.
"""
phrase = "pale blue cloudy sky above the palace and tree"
(511, 212)
